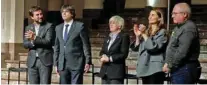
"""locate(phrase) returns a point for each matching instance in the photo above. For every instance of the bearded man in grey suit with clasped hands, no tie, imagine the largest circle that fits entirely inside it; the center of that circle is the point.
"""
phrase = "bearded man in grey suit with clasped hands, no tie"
(38, 39)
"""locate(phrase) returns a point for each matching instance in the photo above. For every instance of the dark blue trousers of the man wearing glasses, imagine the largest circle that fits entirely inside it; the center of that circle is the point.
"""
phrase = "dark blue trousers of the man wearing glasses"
(188, 74)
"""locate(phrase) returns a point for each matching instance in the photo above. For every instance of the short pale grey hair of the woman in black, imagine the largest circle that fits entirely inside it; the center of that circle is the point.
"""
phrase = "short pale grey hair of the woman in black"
(118, 21)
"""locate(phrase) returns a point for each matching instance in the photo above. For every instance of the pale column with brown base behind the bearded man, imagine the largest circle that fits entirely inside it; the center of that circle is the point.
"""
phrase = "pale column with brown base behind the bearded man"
(12, 28)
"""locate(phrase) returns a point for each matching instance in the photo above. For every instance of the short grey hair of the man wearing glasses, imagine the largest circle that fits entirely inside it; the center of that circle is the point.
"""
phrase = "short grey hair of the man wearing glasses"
(185, 8)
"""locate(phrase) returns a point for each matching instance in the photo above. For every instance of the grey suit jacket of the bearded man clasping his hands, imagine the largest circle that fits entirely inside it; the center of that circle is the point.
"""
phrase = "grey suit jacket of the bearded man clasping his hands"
(42, 44)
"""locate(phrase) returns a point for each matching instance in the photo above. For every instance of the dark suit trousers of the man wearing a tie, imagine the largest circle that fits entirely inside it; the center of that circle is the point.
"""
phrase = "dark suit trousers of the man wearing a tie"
(68, 76)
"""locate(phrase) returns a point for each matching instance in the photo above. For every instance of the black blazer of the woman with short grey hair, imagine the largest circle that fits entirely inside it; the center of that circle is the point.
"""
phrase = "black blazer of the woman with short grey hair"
(118, 51)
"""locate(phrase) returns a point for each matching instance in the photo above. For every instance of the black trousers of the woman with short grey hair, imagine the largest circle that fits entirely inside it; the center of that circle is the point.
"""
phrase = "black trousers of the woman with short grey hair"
(106, 80)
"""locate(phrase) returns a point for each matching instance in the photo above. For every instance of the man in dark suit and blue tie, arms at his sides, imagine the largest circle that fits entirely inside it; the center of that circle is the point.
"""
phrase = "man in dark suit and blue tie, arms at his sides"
(72, 48)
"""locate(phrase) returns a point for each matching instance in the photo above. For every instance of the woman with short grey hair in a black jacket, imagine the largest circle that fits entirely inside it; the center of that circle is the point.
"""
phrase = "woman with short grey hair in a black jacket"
(114, 53)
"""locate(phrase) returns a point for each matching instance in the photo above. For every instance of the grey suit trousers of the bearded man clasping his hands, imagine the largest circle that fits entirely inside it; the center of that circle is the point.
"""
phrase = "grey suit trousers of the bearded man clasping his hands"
(39, 73)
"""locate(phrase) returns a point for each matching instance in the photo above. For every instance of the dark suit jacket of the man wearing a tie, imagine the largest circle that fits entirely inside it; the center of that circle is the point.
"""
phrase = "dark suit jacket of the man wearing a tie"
(76, 50)
